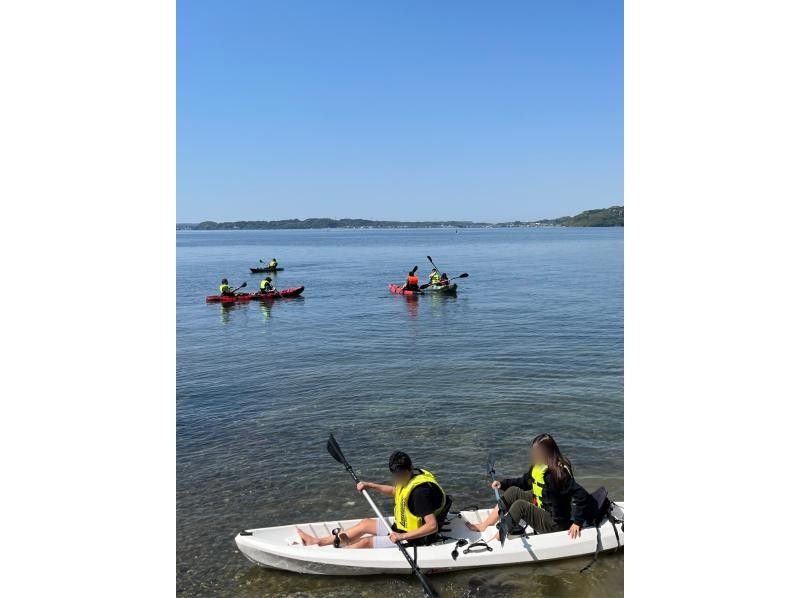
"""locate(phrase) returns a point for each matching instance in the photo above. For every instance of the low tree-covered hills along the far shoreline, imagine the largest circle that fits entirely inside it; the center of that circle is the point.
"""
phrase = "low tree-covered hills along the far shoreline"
(613, 216)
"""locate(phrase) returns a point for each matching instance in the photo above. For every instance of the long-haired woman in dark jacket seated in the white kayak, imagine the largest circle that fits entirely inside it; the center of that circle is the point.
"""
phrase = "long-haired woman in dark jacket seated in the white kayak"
(546, 497)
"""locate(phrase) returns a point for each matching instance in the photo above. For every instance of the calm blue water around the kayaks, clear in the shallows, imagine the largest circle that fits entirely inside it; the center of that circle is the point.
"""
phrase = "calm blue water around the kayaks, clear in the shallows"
(533, 342)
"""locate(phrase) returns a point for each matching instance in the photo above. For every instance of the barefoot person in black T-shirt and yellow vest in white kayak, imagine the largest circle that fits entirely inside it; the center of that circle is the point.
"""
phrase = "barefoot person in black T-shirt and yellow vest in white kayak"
(420, 505)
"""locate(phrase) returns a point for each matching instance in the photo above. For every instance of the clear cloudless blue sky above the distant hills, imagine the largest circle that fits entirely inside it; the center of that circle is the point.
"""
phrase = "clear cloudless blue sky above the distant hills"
(401, 110)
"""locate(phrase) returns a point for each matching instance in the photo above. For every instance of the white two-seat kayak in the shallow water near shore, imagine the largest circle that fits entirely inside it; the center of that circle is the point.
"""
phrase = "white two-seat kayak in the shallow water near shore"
(280, 548)
